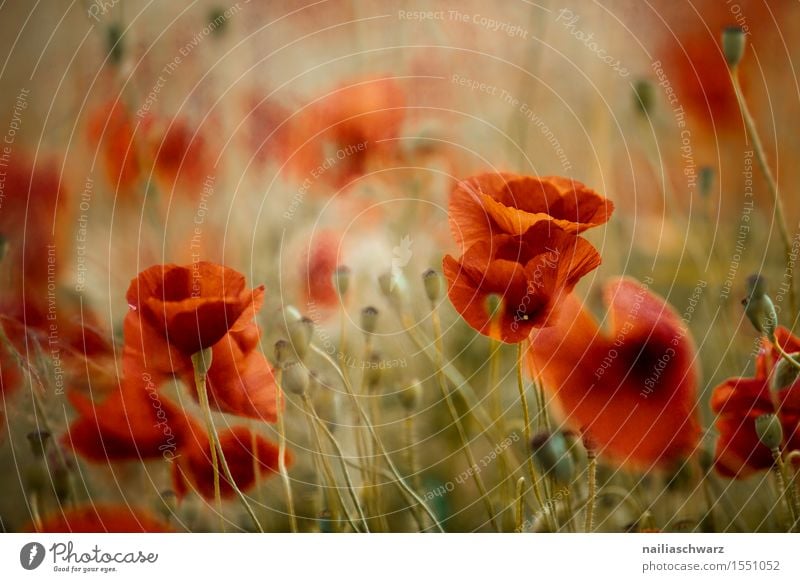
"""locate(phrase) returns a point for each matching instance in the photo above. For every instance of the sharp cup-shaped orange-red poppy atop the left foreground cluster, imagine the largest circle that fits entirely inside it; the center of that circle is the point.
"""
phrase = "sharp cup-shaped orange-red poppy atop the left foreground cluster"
(178, 311)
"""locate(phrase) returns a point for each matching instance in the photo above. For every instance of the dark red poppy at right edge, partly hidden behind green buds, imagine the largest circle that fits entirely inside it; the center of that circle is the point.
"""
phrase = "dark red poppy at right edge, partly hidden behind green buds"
(739, 401)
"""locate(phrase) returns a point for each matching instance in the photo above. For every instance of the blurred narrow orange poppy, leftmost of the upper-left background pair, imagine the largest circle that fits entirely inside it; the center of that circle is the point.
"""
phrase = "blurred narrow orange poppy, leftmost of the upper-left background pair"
(112, 129)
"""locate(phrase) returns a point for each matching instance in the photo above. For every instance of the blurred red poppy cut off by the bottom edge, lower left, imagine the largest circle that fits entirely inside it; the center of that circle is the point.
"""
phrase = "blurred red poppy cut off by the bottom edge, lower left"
(102, 519)
